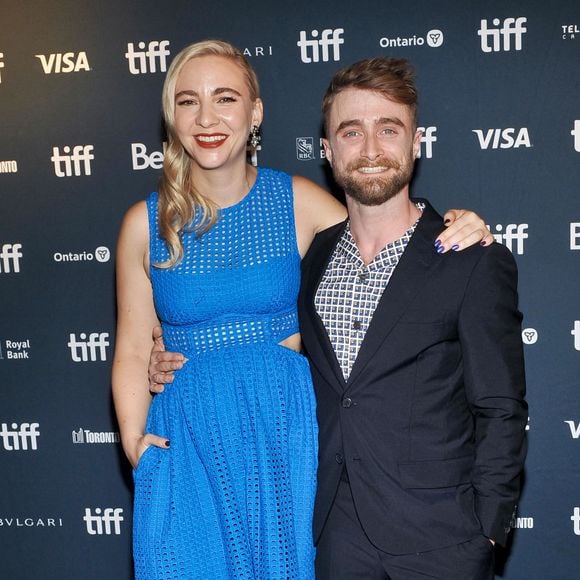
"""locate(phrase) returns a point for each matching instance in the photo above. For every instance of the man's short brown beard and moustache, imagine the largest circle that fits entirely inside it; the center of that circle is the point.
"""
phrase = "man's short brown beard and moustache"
(370, 190)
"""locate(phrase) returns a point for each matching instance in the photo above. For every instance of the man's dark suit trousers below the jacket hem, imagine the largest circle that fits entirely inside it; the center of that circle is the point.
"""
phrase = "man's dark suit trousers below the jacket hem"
(345, 553)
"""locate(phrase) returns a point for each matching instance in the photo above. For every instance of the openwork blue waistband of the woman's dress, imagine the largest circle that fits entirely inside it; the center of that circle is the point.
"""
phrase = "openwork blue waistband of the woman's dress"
(237, 331)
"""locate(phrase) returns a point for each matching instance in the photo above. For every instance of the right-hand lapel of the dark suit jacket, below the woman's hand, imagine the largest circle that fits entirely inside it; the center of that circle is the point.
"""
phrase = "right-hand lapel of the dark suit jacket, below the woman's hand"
(410, 275)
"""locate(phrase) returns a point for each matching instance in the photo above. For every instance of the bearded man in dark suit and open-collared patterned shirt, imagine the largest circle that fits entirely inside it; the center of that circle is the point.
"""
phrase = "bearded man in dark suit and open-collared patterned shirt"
(416, 359)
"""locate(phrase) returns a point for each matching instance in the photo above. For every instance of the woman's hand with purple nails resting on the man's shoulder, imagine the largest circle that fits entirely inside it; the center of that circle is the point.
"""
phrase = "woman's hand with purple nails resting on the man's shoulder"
(464, 228)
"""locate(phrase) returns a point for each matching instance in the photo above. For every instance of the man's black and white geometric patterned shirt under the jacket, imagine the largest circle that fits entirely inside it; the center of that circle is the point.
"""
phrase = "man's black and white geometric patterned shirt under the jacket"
(350, 290)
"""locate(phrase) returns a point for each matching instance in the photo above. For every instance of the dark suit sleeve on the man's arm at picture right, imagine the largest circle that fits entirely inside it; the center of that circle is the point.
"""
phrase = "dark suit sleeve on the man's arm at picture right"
(490, 334)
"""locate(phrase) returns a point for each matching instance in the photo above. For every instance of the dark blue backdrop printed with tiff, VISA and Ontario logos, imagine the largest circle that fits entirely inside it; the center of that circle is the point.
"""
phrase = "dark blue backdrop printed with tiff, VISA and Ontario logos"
(81, 139)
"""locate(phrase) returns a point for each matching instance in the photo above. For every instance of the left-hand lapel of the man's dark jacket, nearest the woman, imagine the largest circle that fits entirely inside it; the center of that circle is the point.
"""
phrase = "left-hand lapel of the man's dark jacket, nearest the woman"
(314, 335)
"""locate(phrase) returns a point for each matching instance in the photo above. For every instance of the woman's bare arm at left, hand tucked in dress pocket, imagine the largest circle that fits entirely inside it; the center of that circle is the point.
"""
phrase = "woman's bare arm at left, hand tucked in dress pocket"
(135, 319)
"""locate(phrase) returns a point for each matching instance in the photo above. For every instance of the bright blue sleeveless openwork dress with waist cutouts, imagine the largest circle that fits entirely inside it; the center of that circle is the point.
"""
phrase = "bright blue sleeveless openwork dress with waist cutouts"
(233, 496)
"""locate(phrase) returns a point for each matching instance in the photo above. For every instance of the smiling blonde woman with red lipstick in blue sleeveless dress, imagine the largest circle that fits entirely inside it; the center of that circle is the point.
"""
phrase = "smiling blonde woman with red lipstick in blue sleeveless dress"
(225, 457)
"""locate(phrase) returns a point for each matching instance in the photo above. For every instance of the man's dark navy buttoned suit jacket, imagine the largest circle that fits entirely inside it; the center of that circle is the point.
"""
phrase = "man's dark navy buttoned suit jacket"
(431, 423)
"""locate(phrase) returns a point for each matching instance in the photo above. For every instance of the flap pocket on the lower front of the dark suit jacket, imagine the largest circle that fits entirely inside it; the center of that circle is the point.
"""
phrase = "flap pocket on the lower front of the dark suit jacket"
(436, 474)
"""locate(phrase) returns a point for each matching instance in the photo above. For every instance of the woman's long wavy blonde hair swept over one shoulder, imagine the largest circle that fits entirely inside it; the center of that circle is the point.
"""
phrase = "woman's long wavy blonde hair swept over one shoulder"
(178, 197)
